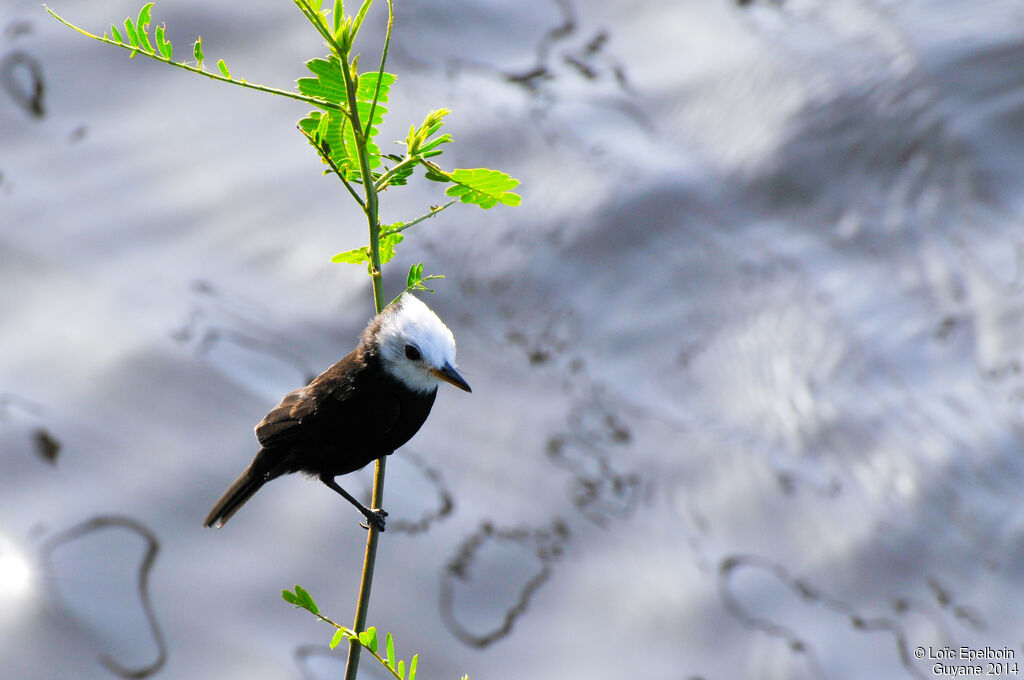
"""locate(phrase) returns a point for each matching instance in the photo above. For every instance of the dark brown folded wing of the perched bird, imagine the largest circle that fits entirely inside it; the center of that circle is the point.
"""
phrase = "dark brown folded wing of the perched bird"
(335, 403)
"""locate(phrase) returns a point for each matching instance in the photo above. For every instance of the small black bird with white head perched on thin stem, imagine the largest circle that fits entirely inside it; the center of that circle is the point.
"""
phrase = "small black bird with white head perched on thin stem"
(363, 408)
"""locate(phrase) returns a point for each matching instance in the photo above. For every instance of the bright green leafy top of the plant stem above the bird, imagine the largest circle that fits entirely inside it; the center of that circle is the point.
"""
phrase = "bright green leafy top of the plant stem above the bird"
(347, 122)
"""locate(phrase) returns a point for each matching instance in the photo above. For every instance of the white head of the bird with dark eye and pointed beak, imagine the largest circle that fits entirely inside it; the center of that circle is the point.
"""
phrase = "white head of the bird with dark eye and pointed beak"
(416, 348)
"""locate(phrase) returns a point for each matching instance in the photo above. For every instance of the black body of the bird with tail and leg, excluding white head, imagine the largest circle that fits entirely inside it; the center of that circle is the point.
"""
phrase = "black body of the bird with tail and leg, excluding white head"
(351, 415)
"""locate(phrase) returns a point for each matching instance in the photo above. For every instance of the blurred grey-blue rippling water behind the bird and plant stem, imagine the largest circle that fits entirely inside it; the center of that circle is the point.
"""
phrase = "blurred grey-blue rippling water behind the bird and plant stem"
(747, 364)
